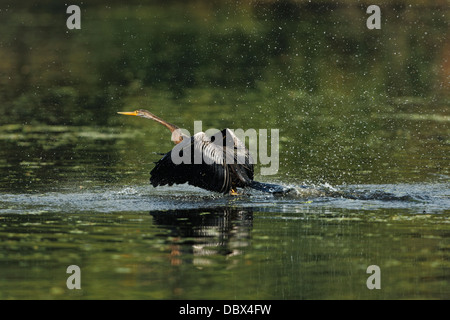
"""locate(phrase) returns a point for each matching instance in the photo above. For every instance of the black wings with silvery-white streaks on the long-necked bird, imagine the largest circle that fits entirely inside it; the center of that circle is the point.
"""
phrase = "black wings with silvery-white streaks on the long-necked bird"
(206, 163)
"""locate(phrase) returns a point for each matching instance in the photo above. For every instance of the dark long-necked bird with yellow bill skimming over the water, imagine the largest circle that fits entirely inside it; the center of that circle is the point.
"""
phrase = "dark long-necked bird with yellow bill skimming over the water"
(215, 172)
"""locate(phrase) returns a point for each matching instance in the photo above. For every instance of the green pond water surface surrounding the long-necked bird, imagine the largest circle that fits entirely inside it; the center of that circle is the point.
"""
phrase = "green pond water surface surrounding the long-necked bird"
(363, 119)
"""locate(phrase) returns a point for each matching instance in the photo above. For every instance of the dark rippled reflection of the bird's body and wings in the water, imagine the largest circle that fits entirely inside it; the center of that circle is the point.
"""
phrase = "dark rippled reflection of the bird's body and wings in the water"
(196, 234)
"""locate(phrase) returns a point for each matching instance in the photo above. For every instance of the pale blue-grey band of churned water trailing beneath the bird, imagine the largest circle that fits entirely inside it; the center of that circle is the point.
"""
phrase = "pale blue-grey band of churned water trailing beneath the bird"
(416, 198)
